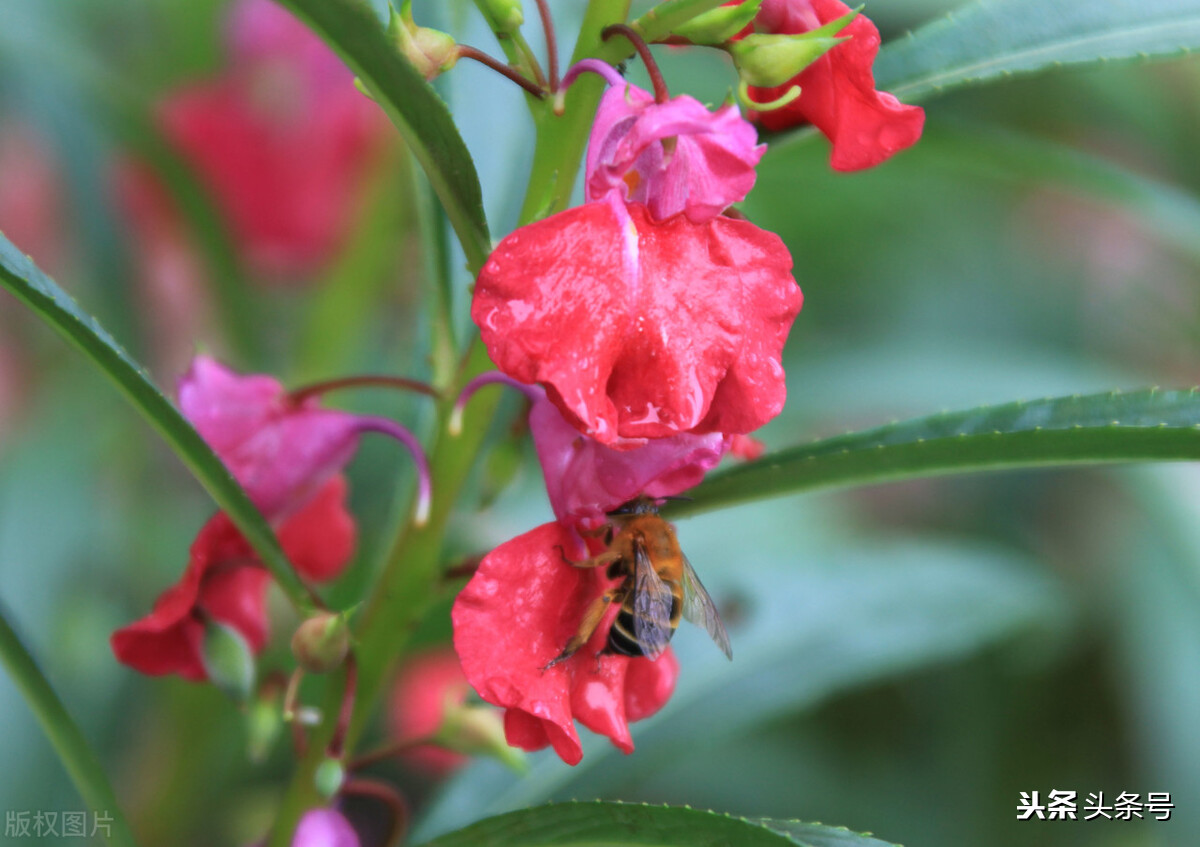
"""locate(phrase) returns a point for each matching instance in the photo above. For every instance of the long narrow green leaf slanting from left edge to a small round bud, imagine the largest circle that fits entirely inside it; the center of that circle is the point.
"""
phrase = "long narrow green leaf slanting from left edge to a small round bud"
(21, 277)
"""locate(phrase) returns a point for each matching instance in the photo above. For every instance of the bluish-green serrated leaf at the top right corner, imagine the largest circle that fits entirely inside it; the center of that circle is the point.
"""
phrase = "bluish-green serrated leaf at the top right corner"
(998, 39)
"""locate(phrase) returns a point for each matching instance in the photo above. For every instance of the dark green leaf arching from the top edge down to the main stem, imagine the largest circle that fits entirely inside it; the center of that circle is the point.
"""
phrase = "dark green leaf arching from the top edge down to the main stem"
(412, 105)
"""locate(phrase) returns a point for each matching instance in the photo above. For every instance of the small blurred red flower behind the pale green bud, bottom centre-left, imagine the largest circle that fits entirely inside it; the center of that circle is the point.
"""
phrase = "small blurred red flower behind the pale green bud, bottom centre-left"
(424, 690)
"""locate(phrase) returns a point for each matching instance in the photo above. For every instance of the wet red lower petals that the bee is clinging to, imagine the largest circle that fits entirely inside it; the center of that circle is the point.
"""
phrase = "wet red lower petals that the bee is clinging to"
(515, 616)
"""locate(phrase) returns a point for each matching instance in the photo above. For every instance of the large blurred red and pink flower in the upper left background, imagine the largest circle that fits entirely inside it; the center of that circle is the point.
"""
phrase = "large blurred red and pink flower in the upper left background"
(283, 140)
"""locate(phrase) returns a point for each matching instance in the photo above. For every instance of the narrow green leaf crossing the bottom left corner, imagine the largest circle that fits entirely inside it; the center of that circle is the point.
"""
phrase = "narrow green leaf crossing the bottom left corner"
(63, 732)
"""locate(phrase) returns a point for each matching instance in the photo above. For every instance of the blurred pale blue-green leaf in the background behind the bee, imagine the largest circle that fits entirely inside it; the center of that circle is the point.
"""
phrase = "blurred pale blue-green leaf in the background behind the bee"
(806, 633)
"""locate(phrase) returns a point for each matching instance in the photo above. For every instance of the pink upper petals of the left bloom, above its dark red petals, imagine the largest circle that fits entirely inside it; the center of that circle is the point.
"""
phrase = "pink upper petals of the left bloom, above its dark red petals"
(278, 449)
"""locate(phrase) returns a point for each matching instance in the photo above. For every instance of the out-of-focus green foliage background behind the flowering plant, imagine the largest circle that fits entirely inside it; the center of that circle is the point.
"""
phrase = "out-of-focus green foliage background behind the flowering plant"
(910, 658)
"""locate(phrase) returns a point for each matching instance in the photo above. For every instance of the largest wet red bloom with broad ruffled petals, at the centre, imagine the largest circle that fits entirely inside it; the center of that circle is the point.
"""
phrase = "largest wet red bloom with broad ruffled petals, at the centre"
(643, 329)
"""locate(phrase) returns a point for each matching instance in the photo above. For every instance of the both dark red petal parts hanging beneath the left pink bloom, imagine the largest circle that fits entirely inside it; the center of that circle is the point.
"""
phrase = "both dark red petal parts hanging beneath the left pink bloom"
(226, 582)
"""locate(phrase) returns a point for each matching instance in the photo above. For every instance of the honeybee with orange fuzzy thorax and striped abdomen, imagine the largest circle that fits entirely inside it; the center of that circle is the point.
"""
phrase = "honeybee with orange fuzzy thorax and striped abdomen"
(658, 588)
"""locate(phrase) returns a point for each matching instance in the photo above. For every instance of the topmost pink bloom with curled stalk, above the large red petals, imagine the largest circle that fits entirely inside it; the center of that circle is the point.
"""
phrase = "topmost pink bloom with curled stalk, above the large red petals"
(671, 158)
